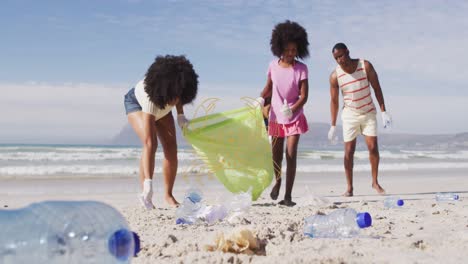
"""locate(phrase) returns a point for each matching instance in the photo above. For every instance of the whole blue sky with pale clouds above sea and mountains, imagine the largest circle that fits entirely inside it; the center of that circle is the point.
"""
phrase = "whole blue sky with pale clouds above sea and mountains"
(67, 64)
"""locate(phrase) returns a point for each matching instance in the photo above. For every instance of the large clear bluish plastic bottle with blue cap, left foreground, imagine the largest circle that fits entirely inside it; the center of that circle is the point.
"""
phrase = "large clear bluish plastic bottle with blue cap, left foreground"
(66, 232)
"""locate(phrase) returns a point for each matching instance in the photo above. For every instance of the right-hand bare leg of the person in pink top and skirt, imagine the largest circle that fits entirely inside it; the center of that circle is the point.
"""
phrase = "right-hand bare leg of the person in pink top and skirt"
(291, 162)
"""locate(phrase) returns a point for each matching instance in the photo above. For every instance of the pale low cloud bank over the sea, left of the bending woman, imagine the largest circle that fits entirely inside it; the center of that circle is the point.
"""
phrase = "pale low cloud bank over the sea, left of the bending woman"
(56, 112)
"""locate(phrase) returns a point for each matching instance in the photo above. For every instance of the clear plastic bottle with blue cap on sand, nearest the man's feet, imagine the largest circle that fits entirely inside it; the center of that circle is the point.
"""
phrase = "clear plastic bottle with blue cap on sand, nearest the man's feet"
(339, 223)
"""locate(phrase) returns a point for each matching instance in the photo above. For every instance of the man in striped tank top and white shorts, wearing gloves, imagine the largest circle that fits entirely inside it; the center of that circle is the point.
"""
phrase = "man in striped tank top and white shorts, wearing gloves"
(354, 77)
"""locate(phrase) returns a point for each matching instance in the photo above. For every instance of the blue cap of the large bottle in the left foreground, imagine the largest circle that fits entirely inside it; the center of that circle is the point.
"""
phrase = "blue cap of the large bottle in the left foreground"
(120, 244)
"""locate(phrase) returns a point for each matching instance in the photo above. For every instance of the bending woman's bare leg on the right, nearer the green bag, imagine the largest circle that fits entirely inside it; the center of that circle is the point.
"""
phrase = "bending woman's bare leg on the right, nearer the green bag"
(166, 134)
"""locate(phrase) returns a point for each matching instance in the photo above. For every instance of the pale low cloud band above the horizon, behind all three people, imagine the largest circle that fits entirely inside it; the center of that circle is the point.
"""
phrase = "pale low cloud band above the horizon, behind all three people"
(94, 113)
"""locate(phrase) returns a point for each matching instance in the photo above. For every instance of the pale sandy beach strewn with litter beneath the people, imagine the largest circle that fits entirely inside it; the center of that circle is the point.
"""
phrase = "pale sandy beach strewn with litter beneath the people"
(423, 231)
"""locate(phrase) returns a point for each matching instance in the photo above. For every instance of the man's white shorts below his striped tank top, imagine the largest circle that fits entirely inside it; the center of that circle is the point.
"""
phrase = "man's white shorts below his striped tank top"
(355, 124)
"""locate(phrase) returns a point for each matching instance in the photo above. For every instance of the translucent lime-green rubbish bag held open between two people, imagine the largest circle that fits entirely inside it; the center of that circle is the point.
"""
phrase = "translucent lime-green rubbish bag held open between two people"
(235, 147)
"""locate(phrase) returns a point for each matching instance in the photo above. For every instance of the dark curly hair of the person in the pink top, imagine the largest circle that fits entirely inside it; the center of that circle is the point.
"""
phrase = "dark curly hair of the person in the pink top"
(286, 32)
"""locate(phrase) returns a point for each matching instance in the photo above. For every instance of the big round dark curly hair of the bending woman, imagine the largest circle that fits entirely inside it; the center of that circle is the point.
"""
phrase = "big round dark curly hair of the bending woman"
(170, 77)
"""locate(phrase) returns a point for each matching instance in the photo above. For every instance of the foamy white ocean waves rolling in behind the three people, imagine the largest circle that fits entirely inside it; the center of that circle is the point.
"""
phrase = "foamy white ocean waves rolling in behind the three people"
(57, 161)
